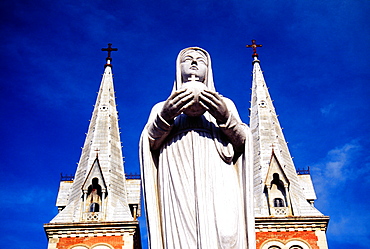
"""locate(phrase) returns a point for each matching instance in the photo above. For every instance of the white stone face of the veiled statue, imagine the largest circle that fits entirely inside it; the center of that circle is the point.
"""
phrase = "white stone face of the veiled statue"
(193, 62)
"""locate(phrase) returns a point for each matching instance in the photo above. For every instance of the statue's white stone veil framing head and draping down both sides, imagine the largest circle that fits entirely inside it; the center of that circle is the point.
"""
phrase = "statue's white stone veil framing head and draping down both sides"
(149, 162)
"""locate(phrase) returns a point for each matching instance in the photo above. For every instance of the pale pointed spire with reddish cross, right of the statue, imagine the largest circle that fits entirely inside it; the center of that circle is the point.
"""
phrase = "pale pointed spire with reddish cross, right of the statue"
(266, 131)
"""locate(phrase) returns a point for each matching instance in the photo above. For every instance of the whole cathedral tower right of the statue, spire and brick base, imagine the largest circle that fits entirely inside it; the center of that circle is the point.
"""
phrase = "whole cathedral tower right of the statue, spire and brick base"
(285, 216)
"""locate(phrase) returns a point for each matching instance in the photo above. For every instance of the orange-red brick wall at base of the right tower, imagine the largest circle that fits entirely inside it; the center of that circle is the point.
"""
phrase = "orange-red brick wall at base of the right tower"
(308, 236)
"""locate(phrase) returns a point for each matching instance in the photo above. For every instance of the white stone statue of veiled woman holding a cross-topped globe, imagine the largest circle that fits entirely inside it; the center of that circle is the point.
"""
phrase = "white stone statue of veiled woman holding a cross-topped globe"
(196, 163)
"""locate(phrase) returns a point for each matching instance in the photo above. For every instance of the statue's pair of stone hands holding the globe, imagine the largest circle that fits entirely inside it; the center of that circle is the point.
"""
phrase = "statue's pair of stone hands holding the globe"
(181, 99)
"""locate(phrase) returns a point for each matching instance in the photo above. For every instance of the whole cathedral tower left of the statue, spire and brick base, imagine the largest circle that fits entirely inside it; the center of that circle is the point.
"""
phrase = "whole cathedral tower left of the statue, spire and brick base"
(98, 207)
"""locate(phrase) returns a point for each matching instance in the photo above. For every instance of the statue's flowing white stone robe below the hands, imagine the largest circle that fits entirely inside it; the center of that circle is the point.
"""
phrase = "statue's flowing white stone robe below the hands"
(198, 181)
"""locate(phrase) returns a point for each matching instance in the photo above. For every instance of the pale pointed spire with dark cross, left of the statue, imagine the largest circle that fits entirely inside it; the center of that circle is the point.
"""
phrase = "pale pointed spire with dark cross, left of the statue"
(102, 146)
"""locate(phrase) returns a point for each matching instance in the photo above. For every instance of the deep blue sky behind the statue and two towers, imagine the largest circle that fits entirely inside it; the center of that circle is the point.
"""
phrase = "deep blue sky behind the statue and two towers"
(315, 58)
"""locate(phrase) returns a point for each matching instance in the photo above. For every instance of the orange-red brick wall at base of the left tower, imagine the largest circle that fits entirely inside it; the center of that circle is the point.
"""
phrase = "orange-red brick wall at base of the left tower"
(115, 241)
